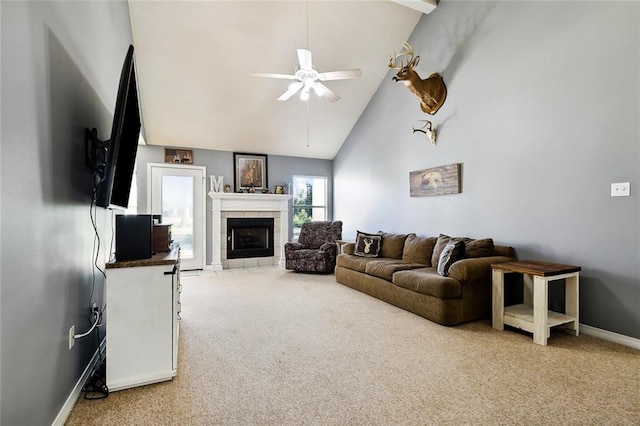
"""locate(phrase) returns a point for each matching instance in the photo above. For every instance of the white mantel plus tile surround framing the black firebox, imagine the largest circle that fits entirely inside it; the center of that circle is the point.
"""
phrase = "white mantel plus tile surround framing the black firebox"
(226, 204)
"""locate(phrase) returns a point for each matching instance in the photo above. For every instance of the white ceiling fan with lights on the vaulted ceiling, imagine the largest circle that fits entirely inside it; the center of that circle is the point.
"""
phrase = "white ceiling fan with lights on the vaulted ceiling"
(309, 78)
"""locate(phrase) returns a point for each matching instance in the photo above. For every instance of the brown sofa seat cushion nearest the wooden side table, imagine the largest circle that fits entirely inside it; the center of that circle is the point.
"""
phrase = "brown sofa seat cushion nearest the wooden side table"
(427, 281)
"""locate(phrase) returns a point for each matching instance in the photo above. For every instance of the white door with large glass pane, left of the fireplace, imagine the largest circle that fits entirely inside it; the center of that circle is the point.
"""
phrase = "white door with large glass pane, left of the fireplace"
(177, 192)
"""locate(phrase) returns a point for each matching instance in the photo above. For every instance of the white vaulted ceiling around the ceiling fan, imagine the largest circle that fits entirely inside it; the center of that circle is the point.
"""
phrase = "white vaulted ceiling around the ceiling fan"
(195, 58)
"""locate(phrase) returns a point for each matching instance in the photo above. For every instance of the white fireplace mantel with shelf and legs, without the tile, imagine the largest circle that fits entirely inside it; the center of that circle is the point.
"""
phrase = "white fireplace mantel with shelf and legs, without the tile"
(257, 203)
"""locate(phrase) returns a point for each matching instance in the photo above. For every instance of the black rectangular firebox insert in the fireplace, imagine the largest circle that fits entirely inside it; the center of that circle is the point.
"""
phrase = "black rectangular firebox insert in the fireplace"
(249, 237)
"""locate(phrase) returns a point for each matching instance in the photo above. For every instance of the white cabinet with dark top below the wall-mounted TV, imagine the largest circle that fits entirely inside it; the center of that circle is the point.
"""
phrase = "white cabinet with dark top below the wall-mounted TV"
(142, 313)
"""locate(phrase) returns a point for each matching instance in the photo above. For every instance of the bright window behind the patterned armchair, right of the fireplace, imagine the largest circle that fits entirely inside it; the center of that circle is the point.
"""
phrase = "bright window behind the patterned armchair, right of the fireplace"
(309, 201)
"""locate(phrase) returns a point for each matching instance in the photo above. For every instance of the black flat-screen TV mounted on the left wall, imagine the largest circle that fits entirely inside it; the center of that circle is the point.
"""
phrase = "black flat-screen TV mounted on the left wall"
(115, 184)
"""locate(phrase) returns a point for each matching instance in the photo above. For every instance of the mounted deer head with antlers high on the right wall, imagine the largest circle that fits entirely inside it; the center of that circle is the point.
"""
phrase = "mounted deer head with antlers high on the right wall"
(431, 92)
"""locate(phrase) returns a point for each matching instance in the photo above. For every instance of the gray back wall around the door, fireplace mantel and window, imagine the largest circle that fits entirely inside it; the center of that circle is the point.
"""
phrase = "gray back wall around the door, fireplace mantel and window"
(280, 169)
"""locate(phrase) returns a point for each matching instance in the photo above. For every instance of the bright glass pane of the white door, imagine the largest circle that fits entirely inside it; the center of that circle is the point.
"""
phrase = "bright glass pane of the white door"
(177, 210)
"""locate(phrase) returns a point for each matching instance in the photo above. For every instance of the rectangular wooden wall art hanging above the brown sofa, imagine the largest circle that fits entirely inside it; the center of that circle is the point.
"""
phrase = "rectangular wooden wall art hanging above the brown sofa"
(435, 181)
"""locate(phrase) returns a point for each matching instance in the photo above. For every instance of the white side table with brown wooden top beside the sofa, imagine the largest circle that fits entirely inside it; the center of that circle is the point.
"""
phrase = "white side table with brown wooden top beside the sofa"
(533, 315)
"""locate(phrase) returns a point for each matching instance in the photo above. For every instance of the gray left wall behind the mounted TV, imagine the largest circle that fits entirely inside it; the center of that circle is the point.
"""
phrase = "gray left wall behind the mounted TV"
(61, 65)
